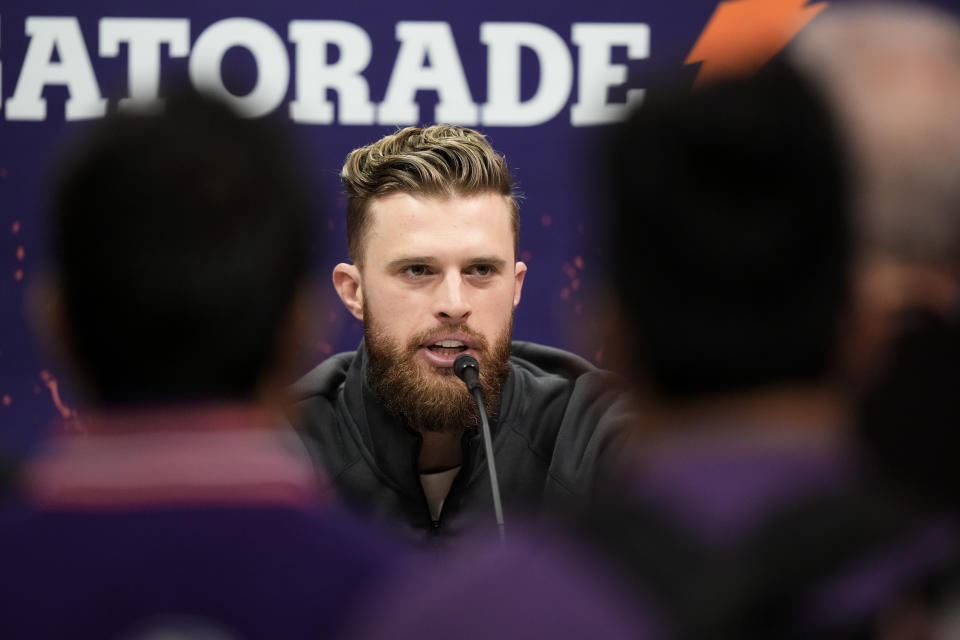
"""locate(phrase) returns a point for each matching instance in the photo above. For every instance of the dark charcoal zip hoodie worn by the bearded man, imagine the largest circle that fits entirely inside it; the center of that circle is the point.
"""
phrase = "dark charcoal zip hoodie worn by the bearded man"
(559, 430)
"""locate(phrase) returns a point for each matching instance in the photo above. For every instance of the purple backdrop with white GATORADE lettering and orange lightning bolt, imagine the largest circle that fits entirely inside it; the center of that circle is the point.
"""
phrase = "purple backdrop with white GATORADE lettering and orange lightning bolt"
(543, 79)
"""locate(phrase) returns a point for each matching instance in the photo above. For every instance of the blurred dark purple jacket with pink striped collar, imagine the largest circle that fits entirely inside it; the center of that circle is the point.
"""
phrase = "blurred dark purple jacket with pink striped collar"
(206, 523)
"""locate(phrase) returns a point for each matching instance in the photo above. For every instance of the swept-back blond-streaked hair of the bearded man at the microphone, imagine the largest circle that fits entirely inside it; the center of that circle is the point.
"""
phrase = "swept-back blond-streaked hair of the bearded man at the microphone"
(438, 161)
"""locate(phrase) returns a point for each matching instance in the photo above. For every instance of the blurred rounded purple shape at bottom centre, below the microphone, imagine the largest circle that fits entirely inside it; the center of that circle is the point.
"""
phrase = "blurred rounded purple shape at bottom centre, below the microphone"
(536, 585)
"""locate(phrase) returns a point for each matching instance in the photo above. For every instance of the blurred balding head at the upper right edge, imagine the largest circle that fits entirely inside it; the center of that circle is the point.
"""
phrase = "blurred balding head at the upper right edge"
(892, 71)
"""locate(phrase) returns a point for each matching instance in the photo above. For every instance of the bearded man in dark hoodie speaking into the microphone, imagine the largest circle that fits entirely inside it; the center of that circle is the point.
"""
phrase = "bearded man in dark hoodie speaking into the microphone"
(432, 232)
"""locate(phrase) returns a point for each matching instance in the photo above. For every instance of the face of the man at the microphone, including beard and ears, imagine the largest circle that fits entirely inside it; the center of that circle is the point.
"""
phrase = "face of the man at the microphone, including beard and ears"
(439, 278)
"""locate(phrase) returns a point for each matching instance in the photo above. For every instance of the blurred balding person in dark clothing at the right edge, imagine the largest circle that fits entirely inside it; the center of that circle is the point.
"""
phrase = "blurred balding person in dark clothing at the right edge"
(893, 72)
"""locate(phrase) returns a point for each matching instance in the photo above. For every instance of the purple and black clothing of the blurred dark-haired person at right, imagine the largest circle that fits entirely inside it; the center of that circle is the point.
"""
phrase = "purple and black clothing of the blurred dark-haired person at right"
(773, 538)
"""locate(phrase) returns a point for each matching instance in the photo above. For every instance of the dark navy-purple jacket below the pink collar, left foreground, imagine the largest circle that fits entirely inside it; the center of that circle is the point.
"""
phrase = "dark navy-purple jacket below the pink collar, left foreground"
(305, 565)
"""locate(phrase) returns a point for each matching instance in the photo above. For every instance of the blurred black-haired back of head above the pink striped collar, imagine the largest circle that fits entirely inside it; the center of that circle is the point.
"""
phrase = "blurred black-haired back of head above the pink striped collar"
(179, 247)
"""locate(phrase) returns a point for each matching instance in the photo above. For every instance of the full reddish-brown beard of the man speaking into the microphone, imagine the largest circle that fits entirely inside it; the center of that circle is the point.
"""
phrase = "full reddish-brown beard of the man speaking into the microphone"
(430, 398)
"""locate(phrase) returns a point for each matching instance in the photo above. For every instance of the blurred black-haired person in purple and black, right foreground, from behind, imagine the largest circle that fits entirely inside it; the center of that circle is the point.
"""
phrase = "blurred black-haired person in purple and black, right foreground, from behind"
(745, 514)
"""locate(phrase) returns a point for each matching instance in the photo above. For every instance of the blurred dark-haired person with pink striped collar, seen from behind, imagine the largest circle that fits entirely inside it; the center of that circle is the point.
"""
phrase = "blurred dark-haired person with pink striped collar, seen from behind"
(187, 506)
